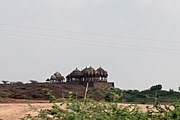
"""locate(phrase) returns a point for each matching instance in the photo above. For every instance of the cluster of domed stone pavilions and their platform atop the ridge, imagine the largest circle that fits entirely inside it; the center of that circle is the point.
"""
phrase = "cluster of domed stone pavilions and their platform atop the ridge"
(96, 78)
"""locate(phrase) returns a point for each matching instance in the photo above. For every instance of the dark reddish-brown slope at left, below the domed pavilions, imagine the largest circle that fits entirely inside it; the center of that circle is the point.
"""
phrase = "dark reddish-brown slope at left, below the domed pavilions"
(35, 91)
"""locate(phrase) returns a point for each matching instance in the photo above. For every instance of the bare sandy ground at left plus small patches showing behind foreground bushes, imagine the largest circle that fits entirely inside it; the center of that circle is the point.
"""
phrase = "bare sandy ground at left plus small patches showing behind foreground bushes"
(13, 109)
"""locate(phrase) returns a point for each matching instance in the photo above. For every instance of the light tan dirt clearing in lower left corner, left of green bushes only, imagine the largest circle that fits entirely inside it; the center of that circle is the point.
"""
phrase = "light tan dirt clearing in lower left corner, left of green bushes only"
(14, 111)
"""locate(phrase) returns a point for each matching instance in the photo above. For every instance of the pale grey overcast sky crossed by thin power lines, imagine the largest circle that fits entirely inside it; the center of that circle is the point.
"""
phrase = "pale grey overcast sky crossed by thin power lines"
(136, 41)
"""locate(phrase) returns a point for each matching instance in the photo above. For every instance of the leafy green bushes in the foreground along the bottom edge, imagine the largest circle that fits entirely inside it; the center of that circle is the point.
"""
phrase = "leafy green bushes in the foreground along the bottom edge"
(92, 110)
